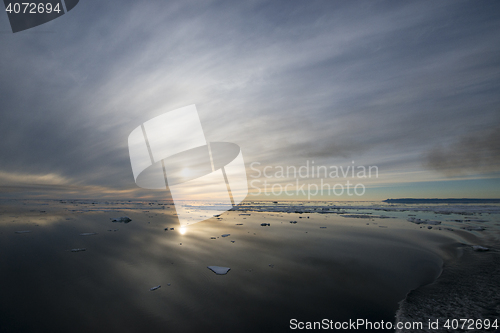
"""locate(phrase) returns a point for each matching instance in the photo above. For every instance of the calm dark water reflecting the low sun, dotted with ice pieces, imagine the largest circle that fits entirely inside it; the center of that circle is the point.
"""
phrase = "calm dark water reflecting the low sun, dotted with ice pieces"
(355, 268)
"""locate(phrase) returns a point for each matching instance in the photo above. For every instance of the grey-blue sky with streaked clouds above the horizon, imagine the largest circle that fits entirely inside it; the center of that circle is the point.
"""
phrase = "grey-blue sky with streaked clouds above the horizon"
(411, 87)
